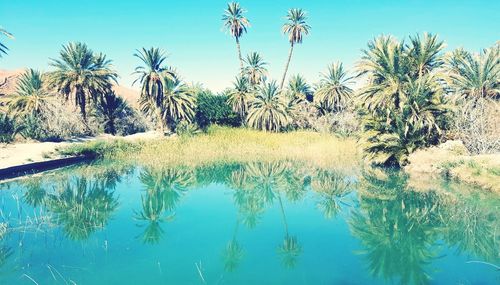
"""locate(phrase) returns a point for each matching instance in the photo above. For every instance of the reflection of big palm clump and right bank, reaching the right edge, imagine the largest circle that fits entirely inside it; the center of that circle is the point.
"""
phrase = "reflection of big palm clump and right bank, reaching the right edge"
(400, 228)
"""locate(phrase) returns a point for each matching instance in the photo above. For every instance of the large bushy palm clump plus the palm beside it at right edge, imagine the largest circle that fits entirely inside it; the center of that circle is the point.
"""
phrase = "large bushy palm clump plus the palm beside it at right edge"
(412, 90)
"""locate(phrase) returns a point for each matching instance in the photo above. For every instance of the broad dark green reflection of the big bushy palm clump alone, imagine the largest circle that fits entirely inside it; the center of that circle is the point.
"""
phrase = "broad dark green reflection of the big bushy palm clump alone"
(397, 229)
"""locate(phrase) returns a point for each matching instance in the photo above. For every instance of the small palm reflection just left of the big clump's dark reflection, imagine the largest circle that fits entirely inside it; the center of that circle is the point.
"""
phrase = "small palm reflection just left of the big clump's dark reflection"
(332, 187)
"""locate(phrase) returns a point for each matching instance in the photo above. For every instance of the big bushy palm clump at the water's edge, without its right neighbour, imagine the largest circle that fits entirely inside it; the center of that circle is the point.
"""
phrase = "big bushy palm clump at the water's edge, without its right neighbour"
(403, 105)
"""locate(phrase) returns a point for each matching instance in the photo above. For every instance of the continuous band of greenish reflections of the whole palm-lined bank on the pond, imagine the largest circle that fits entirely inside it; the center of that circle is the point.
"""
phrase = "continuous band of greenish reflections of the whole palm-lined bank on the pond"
(401, 231)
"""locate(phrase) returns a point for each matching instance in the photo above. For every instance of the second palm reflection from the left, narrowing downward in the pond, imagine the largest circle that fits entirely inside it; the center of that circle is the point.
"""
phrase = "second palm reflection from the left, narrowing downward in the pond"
(164, 188)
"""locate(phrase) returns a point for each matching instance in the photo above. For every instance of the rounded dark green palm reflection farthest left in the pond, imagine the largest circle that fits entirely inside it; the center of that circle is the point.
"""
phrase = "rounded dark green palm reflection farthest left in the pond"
(82, 208)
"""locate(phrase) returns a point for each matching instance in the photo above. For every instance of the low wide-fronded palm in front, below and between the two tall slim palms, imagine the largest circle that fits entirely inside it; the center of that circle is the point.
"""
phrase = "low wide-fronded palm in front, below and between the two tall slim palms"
(268, 110)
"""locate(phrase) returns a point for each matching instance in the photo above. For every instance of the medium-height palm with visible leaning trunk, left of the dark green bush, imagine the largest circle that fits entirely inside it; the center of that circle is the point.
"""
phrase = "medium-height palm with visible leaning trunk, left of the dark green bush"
(153, 75)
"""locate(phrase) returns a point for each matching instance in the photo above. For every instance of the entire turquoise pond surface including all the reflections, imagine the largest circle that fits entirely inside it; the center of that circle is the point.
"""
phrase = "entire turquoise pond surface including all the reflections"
(257, 223)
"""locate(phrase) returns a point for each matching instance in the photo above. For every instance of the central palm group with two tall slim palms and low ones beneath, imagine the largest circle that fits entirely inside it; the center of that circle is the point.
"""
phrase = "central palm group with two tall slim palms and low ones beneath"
(264, 104)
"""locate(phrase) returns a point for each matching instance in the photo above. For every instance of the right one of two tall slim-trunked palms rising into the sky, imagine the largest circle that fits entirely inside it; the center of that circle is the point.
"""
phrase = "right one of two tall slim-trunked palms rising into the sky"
(295, 27)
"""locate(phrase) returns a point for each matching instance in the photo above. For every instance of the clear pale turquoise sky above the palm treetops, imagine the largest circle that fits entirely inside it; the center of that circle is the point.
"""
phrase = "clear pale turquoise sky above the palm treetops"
(191, 31)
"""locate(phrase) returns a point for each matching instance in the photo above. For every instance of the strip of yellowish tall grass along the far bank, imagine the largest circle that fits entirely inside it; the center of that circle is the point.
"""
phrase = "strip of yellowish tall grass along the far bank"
(223, 144)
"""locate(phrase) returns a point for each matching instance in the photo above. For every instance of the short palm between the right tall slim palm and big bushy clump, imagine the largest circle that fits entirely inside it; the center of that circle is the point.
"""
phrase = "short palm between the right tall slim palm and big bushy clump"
(334, 93)
